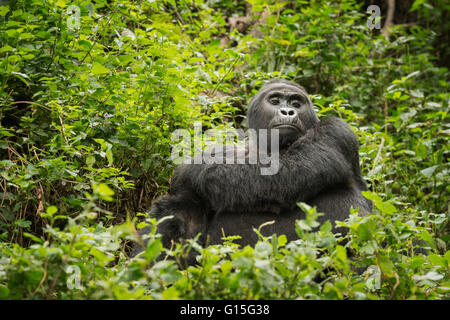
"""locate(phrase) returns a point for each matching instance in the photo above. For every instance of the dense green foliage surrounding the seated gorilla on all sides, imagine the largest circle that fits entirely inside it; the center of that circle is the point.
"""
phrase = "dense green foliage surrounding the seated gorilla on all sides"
(90, 95)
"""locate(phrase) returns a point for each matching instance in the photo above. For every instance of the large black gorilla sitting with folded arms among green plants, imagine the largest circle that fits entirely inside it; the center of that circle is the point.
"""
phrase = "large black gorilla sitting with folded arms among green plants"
(318, 164)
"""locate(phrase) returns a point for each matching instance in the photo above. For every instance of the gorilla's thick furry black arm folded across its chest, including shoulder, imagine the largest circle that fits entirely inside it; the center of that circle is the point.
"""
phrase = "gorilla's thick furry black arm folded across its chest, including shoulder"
(326, 156)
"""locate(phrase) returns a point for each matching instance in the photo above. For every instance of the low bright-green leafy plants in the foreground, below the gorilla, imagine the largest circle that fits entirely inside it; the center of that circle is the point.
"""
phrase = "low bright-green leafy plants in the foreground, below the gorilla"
(88, 262)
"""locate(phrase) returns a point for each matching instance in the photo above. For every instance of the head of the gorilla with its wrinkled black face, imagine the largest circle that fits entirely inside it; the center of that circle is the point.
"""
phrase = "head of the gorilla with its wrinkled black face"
(284, 106)
